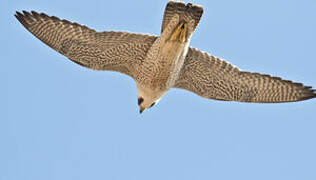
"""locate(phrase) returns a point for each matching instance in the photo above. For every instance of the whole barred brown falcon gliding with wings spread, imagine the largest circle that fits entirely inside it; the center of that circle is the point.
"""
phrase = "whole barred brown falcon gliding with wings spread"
(158, 63)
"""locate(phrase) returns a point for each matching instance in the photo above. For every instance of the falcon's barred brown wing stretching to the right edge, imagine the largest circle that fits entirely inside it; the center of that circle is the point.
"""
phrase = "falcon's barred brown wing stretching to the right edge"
(213, 78)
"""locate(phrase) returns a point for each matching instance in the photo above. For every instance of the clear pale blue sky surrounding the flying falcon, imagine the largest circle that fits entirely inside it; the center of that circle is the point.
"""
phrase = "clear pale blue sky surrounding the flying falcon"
(60, 121)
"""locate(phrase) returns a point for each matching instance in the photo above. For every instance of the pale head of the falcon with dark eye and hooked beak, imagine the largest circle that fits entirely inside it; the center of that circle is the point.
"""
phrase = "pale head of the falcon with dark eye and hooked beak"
(148, 98)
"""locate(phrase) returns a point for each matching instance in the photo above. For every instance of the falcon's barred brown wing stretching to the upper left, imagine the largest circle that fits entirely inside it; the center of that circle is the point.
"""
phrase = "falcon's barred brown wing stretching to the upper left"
(115, 51)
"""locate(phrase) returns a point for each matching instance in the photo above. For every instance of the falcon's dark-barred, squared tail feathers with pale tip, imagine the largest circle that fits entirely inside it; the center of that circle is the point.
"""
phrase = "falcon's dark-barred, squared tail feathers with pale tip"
(185, 11)
